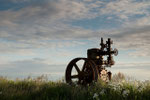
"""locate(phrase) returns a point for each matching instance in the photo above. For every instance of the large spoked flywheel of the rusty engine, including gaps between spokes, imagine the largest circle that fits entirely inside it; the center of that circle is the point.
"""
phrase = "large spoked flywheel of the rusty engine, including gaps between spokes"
(81, 71)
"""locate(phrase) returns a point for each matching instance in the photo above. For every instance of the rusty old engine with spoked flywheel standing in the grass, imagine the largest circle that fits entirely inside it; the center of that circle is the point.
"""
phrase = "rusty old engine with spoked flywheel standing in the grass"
(86, 70)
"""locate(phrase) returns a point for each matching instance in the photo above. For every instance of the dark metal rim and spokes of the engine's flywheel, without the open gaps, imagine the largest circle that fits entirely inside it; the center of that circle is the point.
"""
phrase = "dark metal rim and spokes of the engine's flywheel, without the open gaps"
(81, 78)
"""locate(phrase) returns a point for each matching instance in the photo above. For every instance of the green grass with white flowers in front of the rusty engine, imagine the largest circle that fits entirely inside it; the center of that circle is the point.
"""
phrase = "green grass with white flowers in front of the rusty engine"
(120, 88)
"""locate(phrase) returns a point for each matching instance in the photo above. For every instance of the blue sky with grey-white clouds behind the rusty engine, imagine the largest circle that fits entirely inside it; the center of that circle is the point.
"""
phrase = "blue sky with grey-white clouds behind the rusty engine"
(42, 36)
